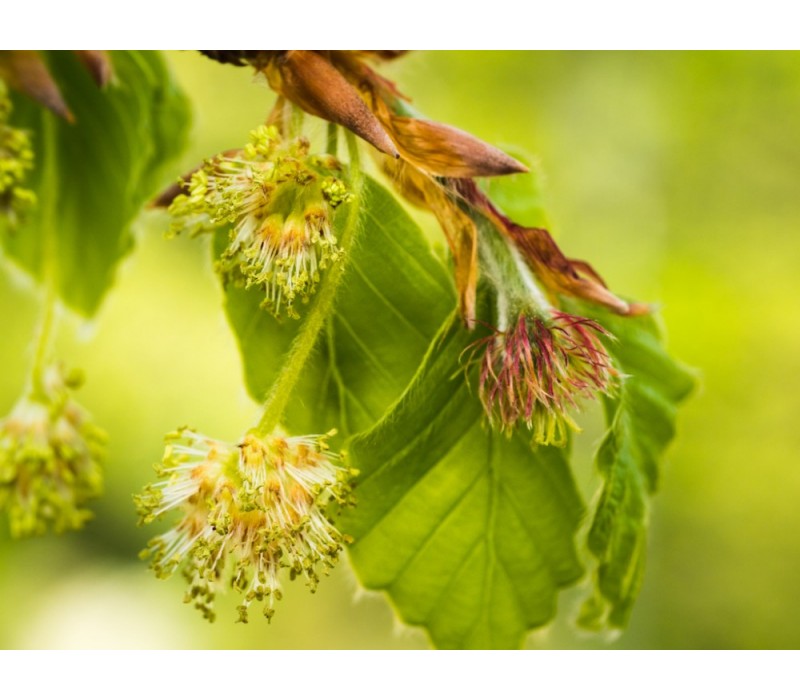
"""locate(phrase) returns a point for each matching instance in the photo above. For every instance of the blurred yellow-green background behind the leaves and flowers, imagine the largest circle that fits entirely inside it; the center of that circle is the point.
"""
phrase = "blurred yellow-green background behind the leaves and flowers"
(676, 174)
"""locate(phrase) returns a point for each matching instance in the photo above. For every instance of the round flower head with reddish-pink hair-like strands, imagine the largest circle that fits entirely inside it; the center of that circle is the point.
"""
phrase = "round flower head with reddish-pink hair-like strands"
(537, 370)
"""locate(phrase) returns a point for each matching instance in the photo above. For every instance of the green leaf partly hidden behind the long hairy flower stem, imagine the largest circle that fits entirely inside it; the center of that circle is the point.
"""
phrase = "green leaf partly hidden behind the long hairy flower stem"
(393, 299)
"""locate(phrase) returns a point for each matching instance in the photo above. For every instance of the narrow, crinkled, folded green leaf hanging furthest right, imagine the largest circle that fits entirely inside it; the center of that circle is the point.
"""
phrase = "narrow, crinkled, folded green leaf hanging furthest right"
(641, 425)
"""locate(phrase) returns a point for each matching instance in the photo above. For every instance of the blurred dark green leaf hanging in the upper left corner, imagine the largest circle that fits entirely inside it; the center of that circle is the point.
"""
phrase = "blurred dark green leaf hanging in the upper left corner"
(93, 177)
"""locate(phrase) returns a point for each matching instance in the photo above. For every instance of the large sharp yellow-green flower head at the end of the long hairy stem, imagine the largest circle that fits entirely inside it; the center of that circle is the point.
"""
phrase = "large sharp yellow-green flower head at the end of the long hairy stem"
(247, 510)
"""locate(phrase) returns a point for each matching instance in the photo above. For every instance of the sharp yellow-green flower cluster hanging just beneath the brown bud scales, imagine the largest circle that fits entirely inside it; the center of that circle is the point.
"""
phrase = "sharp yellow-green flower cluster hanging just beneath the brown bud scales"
(279, 201)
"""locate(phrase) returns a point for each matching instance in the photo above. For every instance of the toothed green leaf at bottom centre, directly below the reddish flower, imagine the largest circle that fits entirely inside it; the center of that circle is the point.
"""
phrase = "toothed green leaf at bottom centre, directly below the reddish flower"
(469, 532)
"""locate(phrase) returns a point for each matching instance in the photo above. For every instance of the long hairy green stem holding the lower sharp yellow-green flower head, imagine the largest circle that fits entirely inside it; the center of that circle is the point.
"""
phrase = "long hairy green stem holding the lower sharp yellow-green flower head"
(320, 308)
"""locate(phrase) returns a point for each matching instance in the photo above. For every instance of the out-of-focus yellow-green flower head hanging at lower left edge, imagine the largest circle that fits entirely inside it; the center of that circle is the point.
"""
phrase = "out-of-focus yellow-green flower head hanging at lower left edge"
(49, 460)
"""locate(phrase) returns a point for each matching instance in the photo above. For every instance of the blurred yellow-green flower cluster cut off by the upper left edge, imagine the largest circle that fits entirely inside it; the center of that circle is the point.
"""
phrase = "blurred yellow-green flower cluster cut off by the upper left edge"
(16, 159)
